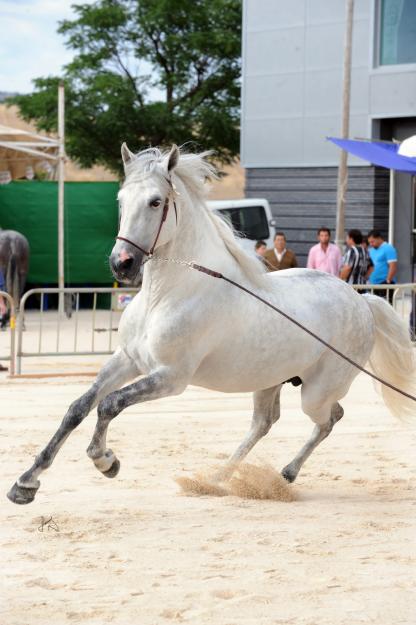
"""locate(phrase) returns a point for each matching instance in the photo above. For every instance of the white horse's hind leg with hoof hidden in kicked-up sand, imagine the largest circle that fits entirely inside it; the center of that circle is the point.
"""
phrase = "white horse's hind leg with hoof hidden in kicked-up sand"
(266, 412)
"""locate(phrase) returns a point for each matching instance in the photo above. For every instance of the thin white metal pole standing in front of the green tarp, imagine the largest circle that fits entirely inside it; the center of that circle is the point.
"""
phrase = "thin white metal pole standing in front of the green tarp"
(61, 178)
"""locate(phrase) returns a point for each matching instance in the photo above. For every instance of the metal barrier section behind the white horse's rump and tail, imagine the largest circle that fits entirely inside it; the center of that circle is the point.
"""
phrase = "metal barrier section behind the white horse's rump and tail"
(401, 296)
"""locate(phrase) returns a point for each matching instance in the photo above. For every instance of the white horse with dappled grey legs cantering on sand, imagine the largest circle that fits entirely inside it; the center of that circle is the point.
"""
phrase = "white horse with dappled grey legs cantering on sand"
(189, 328)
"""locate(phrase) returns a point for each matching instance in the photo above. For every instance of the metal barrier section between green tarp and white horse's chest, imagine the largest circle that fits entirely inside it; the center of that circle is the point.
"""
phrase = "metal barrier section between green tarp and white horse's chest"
(74, 333)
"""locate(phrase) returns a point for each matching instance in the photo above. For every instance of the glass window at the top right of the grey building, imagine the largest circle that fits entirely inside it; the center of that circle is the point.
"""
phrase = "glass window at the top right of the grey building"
(397, 32)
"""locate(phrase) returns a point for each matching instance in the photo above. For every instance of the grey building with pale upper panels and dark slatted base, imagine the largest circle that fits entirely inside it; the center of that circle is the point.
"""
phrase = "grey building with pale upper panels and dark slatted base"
(291, 101)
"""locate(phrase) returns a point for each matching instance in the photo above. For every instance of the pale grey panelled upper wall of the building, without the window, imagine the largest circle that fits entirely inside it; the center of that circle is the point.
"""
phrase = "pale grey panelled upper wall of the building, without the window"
(292, 81)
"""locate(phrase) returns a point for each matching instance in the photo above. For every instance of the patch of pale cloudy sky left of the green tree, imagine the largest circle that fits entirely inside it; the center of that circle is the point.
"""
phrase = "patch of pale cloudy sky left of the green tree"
(29, 44)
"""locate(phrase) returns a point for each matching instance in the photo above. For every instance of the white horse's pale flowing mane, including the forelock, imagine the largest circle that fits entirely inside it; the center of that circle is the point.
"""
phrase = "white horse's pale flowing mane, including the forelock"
(194, 171)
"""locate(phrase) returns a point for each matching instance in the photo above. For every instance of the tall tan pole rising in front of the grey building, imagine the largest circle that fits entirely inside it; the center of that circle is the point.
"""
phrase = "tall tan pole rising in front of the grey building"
(346, 90)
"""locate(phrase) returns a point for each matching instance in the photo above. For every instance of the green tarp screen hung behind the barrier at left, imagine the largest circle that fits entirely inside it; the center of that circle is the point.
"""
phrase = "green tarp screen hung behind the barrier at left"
(91, 219)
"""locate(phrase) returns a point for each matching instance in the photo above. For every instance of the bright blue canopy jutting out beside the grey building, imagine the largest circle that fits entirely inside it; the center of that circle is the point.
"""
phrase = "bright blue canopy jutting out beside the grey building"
(382, 154)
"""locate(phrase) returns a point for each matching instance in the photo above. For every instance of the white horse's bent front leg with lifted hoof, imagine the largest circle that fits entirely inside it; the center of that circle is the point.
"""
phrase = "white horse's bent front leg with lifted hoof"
(160, 383)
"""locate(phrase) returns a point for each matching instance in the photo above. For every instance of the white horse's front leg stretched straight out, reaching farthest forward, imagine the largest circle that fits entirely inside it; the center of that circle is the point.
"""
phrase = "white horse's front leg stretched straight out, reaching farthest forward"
(118, 370)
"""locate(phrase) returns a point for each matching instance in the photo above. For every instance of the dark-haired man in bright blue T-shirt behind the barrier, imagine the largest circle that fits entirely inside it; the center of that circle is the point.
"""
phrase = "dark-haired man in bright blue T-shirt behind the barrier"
(384, 258)
